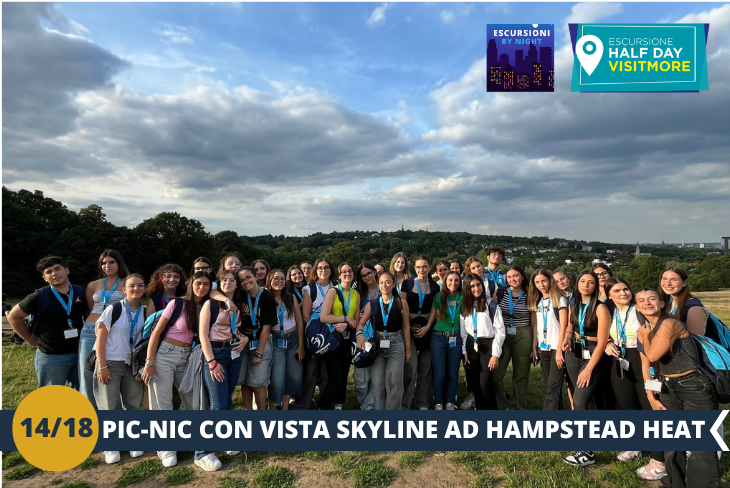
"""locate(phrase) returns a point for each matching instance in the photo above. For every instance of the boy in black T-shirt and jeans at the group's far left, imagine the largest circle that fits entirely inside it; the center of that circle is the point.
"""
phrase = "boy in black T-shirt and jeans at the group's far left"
(58, 315)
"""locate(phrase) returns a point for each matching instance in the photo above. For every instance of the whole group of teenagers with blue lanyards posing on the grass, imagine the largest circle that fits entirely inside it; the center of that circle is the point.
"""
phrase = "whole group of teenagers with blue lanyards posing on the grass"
(616, 348)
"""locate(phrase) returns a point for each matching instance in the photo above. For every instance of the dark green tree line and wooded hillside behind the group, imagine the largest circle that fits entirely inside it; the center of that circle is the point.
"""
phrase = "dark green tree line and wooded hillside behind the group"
(35, 226)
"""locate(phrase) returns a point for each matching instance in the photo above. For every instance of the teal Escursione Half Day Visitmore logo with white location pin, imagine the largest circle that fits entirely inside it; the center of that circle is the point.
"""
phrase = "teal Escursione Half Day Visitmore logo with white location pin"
(639, 57)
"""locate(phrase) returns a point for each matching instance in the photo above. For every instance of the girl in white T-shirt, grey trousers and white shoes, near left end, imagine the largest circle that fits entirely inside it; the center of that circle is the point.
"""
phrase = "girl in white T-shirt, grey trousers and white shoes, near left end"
(114, 342)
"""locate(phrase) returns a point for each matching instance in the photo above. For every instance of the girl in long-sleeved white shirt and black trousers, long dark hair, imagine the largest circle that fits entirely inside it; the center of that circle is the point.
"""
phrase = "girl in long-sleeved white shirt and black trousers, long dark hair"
(483, 334)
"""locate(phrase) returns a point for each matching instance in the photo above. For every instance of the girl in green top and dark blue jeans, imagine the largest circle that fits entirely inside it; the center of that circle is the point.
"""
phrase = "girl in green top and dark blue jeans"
(446, 340)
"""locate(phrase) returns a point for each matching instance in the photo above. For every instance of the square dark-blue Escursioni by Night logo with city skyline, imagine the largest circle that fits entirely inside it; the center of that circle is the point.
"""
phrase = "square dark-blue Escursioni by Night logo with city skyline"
(520, 57)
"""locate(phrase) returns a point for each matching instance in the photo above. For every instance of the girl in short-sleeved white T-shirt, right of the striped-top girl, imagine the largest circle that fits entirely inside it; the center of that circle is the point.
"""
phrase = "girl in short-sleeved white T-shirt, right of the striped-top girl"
(543, 300)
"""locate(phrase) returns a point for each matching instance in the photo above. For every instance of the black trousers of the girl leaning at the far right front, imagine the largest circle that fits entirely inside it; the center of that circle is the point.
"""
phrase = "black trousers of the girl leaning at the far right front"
(700, 469)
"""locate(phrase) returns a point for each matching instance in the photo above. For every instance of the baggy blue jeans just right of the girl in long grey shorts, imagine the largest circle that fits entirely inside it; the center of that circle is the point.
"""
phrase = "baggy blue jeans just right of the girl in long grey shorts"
(286, 372)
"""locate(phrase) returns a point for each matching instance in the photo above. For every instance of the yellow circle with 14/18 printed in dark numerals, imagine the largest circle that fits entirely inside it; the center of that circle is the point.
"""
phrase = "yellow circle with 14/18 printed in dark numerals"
(66, 411)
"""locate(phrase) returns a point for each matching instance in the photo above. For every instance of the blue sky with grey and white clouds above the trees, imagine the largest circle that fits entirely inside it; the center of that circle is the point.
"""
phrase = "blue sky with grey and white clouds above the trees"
(296, 118)
